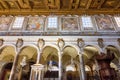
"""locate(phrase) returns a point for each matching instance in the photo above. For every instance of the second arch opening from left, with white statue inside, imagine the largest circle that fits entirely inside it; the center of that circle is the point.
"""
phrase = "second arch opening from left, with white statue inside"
(26, 57)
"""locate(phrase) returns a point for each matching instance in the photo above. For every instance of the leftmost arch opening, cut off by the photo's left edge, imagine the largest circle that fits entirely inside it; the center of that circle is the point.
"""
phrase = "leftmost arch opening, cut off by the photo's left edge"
(7, 54)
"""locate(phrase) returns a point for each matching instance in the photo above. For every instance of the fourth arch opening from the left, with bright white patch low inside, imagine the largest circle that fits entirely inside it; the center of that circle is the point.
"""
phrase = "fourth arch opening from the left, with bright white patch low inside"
(70, 64)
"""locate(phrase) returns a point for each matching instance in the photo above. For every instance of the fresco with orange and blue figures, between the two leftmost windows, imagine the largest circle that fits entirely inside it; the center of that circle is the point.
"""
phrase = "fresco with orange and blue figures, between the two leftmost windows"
(35, 23)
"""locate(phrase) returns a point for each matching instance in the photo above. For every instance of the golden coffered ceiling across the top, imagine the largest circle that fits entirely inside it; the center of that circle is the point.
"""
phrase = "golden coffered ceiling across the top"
(47, 7)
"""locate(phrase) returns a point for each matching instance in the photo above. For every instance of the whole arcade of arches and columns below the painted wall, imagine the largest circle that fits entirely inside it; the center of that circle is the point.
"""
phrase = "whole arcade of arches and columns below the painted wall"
(59, 58)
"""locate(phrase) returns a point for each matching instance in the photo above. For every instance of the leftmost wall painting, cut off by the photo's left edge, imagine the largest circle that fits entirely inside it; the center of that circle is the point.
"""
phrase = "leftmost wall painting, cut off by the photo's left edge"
(5, 22)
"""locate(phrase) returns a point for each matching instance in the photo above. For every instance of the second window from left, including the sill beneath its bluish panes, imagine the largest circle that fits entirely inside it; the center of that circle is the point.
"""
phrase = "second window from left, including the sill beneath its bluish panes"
(52, 23)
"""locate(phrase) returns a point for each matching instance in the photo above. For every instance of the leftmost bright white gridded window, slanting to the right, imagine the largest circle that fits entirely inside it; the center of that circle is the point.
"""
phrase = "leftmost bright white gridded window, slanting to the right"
(18, 23)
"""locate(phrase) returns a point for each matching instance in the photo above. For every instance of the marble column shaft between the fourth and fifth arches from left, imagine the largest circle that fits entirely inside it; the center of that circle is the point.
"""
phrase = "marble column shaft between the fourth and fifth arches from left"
(82, 67)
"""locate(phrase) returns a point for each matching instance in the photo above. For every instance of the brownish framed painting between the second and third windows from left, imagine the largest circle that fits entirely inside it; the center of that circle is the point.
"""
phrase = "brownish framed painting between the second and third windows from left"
(69, 24)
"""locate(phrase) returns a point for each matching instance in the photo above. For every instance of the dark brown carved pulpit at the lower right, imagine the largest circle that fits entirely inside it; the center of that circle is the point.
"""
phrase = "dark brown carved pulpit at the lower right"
(104, 60)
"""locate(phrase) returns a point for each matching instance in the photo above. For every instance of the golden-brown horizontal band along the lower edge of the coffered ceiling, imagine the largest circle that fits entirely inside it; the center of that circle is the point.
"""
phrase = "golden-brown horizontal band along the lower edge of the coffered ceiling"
(60, 12)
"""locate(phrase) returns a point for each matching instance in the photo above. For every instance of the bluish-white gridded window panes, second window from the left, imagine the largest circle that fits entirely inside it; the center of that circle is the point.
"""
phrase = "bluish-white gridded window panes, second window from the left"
(52, 22)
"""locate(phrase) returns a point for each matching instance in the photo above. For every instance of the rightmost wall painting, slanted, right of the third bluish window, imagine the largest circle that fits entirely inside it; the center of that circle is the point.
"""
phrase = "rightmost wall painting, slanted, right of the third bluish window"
(104, 22)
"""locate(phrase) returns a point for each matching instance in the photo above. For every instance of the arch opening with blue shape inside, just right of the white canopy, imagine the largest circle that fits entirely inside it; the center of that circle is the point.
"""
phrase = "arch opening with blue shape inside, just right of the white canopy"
(50, 59)
